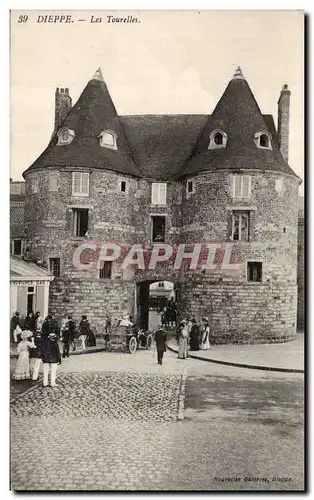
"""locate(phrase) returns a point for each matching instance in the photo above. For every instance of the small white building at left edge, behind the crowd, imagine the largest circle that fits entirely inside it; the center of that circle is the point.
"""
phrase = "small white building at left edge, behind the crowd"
(29, 287)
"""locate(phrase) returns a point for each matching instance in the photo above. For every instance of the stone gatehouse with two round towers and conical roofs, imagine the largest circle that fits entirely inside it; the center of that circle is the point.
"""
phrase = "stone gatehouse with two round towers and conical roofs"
(222, 179)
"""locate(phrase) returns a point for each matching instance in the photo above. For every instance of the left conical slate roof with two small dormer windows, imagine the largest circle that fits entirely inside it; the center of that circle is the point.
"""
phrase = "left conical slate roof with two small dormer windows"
(93, 113)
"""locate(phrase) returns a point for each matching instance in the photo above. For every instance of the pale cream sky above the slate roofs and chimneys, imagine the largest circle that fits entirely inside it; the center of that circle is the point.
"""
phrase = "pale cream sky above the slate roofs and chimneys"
(170, 62)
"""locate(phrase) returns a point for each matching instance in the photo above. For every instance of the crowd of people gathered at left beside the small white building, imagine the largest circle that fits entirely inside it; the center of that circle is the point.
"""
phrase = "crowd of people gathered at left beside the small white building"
(38, 342)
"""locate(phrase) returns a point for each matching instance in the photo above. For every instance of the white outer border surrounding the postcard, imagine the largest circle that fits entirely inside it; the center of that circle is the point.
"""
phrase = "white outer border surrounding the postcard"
(4, 185)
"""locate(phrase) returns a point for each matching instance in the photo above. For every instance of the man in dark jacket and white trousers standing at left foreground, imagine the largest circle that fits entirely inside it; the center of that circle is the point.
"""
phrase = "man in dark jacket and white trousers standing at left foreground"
(51, 357)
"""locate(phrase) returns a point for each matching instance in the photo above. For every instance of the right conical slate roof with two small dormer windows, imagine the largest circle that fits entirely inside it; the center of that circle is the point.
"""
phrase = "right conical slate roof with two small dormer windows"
(237, 114)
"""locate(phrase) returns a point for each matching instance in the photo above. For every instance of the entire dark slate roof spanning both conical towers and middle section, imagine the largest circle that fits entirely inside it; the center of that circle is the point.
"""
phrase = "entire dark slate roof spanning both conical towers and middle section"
(165, 147)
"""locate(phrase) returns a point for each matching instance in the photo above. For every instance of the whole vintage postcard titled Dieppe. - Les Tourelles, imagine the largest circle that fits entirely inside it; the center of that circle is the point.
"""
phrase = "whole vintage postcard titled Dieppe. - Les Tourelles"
(156, 264)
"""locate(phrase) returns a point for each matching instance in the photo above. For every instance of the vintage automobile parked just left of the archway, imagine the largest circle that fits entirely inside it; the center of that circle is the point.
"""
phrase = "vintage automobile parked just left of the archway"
(128, 339)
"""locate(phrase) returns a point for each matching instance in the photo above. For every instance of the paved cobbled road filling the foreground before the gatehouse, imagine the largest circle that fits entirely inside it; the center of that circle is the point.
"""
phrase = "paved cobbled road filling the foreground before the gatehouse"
(113, 423)
